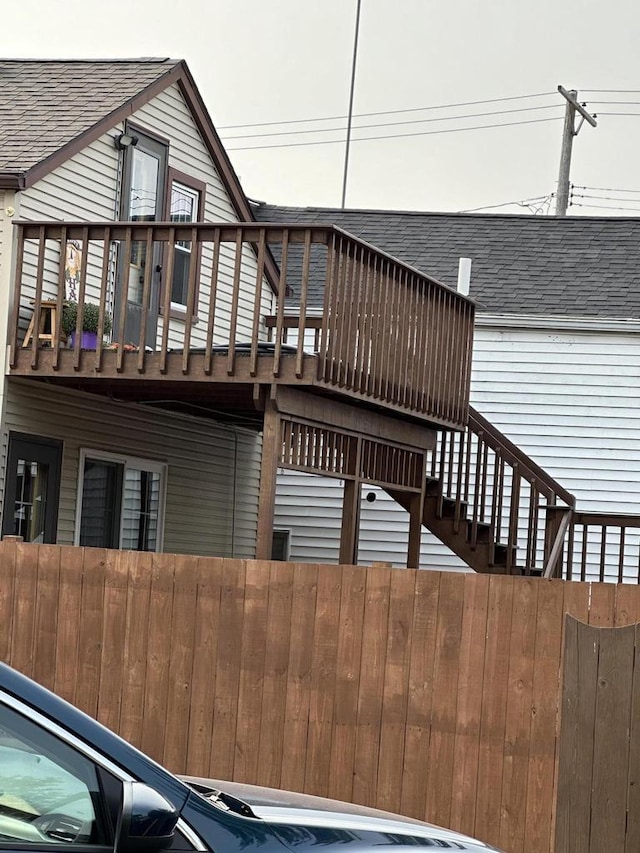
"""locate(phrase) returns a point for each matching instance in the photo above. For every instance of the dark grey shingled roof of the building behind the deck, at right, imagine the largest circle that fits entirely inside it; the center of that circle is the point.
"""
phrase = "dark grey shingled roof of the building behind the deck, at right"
(526, 265)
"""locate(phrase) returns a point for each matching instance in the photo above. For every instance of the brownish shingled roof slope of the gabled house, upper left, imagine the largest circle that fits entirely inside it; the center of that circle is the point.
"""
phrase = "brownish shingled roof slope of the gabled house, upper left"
(45, 105)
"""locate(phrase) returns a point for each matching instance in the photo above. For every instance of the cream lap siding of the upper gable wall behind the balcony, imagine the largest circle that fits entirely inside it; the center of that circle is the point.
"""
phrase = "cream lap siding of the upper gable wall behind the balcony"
(86, 188)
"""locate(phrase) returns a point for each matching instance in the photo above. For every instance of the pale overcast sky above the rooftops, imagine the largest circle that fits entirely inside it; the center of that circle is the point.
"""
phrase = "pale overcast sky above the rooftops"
(258, 61)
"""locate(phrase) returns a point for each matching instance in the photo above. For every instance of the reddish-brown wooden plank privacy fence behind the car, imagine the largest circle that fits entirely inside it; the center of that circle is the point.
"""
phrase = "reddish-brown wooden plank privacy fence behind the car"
(433, 694)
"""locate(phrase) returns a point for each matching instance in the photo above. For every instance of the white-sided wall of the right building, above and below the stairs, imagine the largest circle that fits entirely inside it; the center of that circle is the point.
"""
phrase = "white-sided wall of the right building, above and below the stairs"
(569, 399)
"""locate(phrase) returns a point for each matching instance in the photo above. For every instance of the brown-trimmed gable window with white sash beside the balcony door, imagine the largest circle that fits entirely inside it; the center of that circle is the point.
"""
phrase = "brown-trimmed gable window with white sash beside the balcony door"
(186, 203)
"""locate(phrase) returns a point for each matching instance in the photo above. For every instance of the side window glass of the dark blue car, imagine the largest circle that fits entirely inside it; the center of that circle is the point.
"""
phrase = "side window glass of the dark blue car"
(49, 792)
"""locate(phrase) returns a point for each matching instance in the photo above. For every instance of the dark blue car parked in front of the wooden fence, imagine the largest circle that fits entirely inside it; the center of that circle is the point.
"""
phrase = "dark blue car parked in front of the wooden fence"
(67, 782)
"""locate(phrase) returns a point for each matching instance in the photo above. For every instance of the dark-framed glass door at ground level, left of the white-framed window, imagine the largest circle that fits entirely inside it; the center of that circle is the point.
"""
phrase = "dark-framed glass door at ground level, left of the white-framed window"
(32, 488)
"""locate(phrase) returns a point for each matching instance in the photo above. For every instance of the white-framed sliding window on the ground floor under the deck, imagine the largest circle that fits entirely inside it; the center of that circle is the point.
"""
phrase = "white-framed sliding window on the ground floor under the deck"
(121, 502)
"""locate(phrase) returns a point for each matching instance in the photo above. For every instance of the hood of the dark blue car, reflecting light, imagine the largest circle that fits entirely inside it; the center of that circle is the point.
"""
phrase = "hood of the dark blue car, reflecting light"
(291, 809)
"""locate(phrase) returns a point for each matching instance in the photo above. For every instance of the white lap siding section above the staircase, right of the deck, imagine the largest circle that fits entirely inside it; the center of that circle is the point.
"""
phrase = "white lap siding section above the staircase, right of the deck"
(572, 402)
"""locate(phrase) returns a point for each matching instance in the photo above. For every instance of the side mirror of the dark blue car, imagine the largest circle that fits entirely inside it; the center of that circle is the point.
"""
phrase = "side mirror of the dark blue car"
(147, 821)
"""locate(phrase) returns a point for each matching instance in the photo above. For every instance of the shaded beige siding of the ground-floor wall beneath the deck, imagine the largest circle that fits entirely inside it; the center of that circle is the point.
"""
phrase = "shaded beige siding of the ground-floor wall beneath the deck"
(212, 476)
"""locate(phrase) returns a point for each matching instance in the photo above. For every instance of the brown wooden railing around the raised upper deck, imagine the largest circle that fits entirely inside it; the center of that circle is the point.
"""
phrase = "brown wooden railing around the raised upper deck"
(386, 332)
